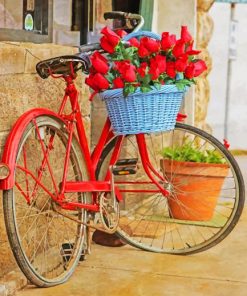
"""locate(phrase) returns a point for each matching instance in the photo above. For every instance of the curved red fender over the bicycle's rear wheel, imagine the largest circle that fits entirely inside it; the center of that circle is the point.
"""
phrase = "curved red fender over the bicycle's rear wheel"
(13, 139)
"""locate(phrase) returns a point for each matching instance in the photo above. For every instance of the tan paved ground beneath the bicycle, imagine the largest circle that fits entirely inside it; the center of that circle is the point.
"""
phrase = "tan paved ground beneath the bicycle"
(130, 272)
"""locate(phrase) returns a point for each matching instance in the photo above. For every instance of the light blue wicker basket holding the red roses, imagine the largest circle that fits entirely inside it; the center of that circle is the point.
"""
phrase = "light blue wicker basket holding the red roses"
(139, 112)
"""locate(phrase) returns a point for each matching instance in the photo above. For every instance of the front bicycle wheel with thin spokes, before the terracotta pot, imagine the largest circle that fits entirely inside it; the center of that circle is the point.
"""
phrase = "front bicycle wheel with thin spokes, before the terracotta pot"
(148, 220)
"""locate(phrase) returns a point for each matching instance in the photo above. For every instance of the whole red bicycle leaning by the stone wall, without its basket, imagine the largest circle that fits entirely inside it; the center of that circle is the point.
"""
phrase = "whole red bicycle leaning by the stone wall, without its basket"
(55, 189)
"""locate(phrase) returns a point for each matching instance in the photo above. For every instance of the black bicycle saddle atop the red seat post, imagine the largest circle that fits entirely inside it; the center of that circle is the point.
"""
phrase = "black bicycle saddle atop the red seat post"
(62, 65)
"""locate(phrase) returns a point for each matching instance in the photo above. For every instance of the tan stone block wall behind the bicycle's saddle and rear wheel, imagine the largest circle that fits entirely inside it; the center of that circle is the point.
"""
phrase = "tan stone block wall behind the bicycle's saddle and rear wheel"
(22, 89)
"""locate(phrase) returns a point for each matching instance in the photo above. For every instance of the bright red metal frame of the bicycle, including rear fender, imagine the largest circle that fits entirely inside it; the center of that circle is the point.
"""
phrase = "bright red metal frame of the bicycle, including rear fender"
(72, 121)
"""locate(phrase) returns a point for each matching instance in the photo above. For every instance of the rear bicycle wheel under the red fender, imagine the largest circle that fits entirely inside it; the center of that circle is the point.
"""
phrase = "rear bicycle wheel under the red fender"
(46, 246)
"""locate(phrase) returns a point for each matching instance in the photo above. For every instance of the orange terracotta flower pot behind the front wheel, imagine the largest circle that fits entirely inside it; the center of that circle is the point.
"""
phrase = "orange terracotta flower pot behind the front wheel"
(197, 187)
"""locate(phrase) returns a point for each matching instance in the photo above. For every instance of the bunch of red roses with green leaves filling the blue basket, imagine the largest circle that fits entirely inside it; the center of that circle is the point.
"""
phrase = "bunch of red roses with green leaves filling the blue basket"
(146, 63)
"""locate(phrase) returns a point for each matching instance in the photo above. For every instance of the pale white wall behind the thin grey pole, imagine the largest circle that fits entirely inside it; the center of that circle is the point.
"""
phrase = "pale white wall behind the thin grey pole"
(237, 128)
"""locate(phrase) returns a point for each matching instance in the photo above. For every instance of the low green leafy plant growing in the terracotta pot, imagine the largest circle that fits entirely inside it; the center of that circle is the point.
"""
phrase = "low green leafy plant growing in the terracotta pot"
(189, 152)
